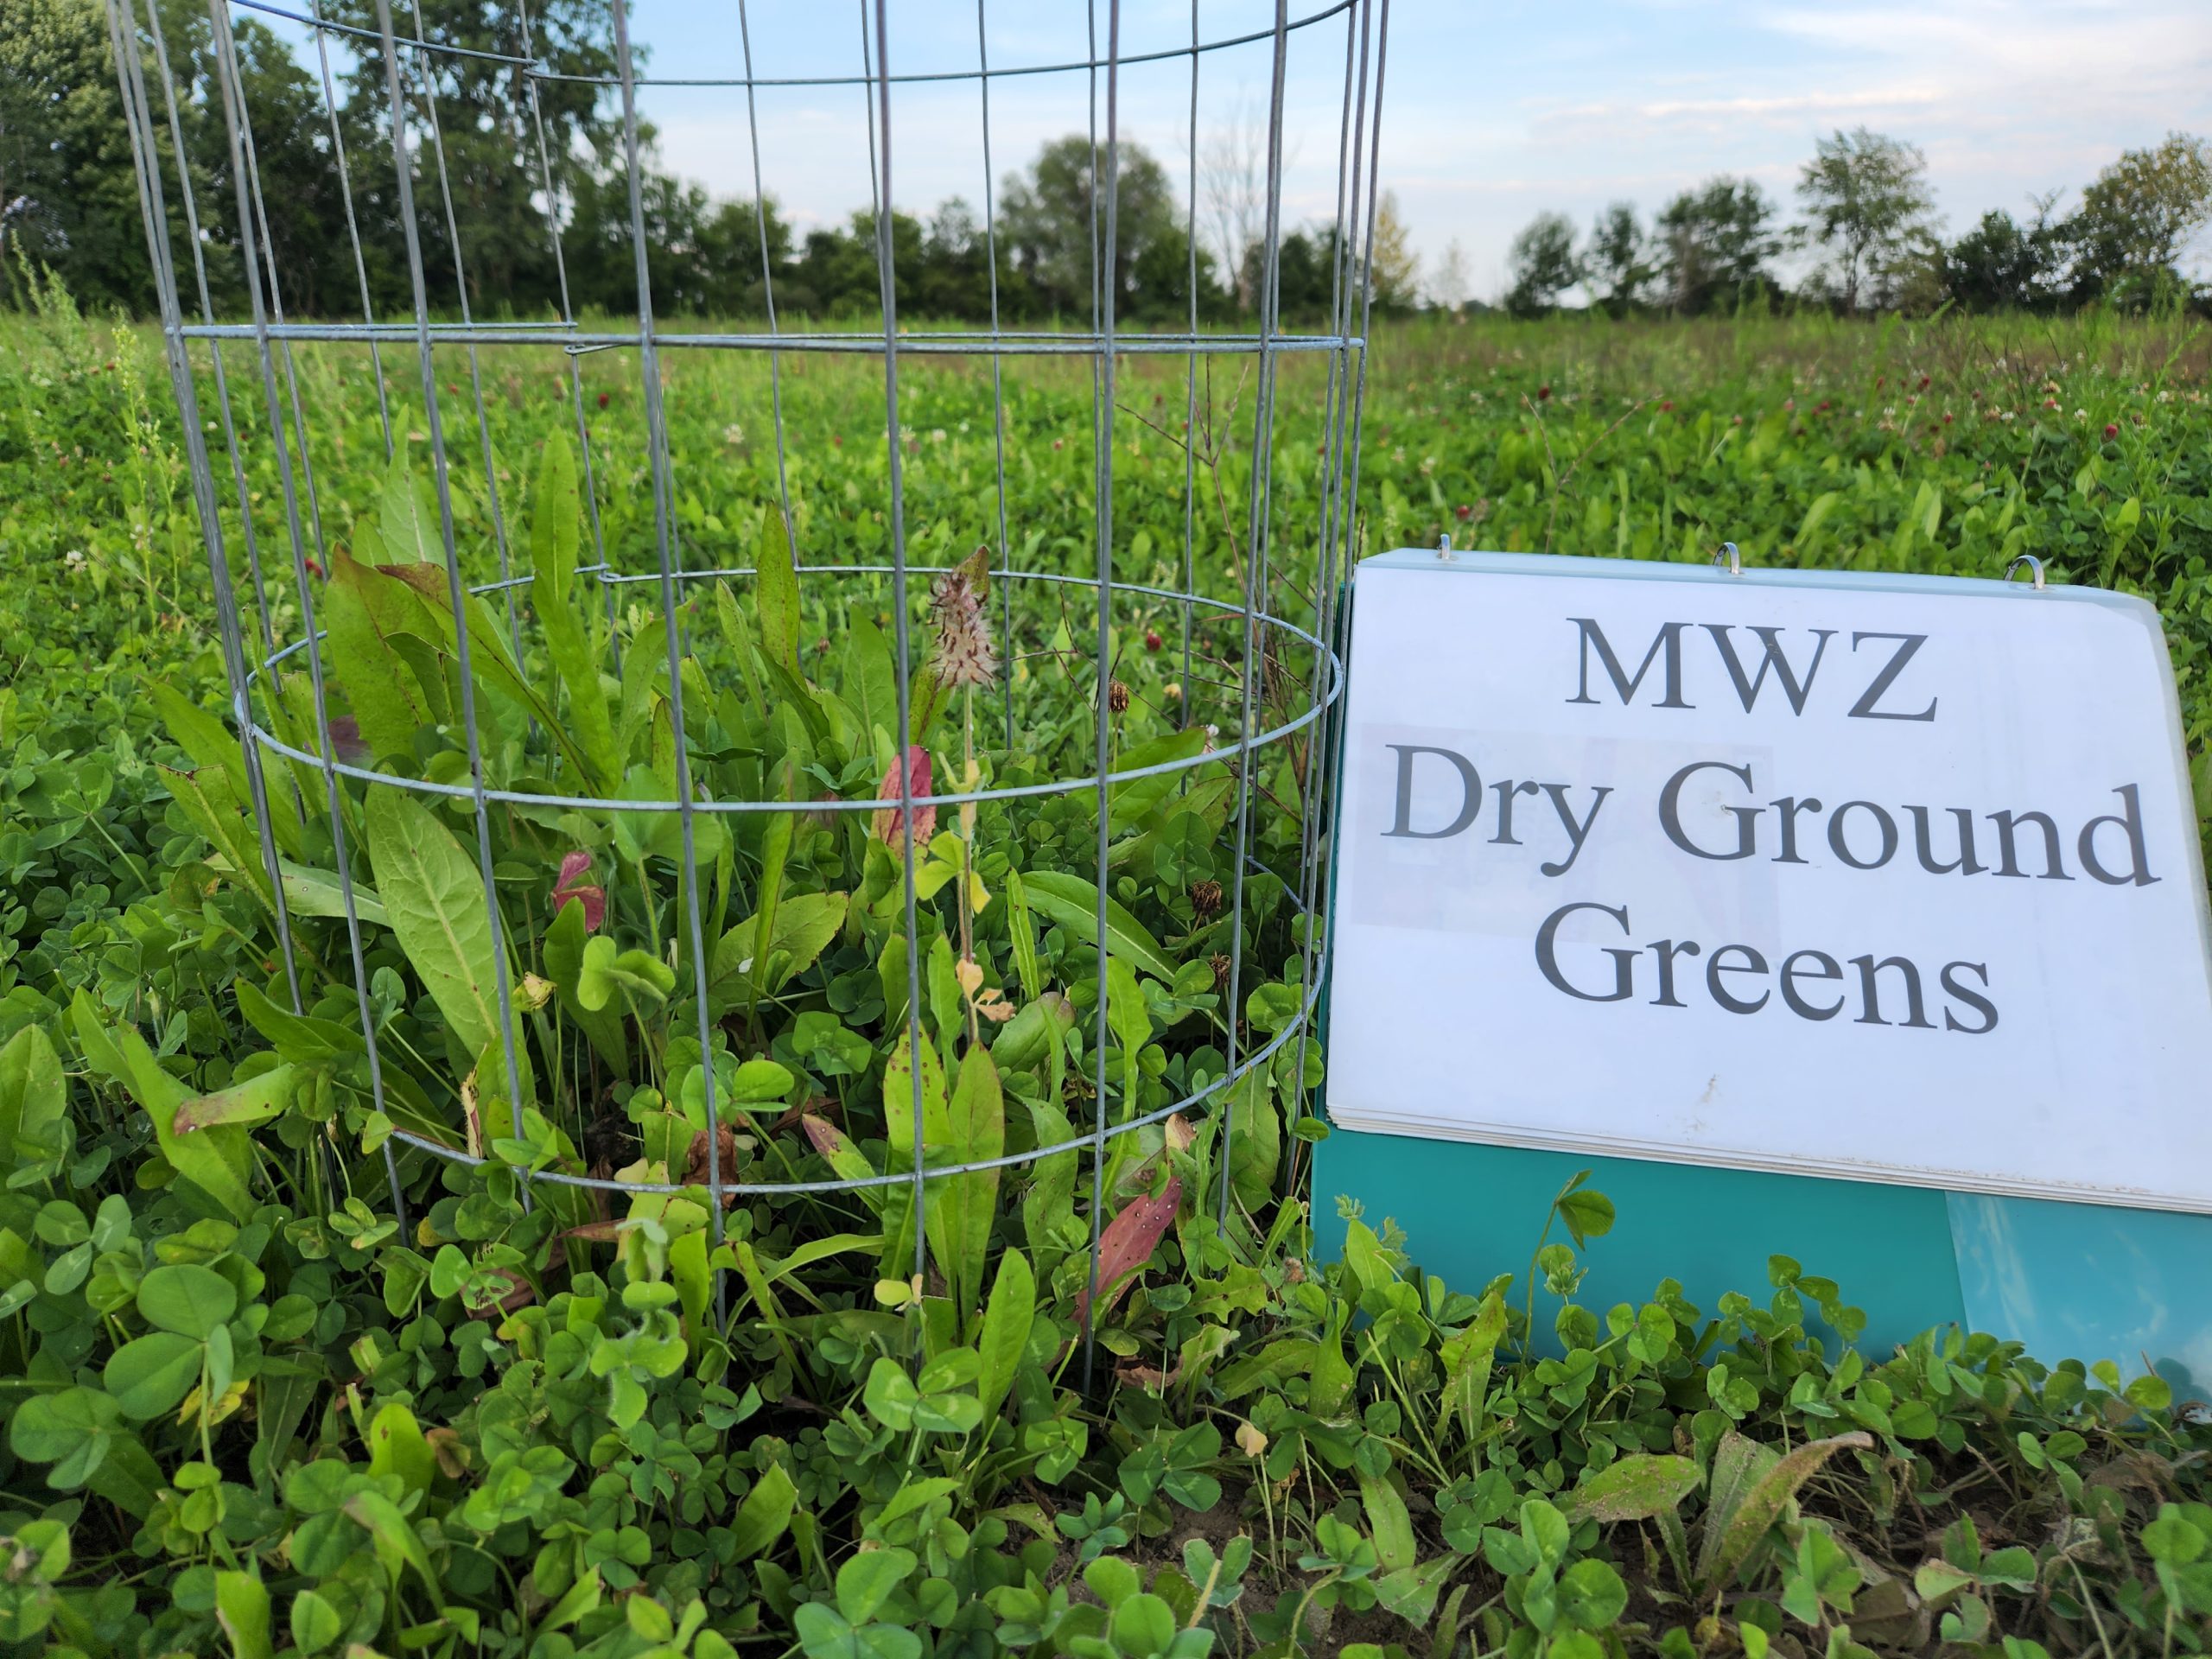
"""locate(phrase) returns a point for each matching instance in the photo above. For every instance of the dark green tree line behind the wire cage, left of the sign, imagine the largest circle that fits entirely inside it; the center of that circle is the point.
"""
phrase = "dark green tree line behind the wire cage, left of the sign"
(326, 171)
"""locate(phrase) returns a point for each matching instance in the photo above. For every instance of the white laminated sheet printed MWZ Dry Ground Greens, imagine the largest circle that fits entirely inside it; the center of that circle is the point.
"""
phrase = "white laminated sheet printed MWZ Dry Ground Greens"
(1870, 877)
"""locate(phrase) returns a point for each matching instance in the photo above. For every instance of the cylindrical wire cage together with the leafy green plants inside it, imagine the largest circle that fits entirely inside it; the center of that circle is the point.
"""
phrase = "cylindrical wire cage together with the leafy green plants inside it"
(1047, 627)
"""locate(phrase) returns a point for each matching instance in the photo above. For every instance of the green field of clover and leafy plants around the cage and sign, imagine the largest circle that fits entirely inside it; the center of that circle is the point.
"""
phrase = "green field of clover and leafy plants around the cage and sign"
(251, 1412)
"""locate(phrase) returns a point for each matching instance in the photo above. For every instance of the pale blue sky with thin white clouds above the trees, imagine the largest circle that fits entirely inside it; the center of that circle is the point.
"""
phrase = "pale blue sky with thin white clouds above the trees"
(1492, 112)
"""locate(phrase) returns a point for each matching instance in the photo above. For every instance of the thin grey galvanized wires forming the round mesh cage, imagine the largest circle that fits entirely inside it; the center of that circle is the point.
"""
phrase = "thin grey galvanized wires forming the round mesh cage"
(1284, 614)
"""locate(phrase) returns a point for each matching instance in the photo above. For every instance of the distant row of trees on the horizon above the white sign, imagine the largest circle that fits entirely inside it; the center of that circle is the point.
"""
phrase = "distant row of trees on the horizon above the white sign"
(1868, 240)
